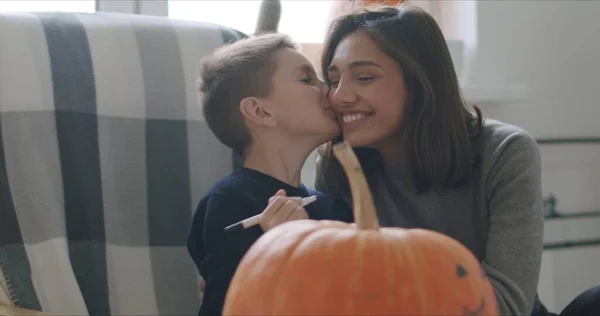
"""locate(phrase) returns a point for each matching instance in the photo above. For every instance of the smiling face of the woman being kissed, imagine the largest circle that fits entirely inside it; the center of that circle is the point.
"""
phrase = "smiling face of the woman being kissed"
(368, 91)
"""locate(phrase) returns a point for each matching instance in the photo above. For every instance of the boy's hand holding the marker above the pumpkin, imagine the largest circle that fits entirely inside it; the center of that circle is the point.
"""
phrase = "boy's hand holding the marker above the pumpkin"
(281, 209)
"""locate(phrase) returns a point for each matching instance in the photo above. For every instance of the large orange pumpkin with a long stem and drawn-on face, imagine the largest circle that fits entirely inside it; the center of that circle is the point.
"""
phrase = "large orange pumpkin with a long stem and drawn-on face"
(332, 268)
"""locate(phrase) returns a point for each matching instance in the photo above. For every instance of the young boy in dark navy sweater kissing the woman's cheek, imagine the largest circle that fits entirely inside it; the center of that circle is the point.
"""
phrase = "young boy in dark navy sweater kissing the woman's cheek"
(261, 98)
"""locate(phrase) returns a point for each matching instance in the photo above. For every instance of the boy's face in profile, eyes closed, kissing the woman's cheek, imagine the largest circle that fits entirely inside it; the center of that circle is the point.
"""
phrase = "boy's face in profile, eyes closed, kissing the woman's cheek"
(299, 100)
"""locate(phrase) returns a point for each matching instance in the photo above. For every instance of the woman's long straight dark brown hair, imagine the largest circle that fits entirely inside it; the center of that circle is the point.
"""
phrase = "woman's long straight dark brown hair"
(441, 132)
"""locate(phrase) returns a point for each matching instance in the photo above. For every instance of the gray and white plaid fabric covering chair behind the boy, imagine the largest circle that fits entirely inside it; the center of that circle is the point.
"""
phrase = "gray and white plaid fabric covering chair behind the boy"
(103, 156)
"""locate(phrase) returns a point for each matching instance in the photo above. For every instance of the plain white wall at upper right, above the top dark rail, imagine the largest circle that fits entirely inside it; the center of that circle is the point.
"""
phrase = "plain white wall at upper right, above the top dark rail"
(554, 48)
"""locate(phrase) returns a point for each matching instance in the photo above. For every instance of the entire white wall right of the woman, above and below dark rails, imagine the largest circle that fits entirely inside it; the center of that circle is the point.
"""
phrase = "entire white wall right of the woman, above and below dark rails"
(554, 48)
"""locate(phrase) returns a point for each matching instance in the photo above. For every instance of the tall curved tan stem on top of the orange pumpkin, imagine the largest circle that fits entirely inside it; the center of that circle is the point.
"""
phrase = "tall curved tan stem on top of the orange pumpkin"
(362, 200)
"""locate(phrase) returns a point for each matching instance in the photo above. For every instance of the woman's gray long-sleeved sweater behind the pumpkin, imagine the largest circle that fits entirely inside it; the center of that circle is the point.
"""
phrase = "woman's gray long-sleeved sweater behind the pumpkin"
(497, 214)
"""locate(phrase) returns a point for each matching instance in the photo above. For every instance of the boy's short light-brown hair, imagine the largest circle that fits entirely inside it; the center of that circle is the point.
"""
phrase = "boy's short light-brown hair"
(233, 72)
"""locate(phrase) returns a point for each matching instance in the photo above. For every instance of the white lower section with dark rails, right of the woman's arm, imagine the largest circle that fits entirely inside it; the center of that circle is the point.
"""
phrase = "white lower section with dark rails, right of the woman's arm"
(570, 171)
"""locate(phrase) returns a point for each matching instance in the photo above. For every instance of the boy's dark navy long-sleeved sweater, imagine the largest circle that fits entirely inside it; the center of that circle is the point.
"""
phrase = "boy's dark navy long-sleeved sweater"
(242, 194)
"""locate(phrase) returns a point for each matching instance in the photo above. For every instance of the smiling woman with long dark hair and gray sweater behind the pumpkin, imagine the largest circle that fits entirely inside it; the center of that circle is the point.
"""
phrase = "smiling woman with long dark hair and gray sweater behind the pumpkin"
(432, 162)
